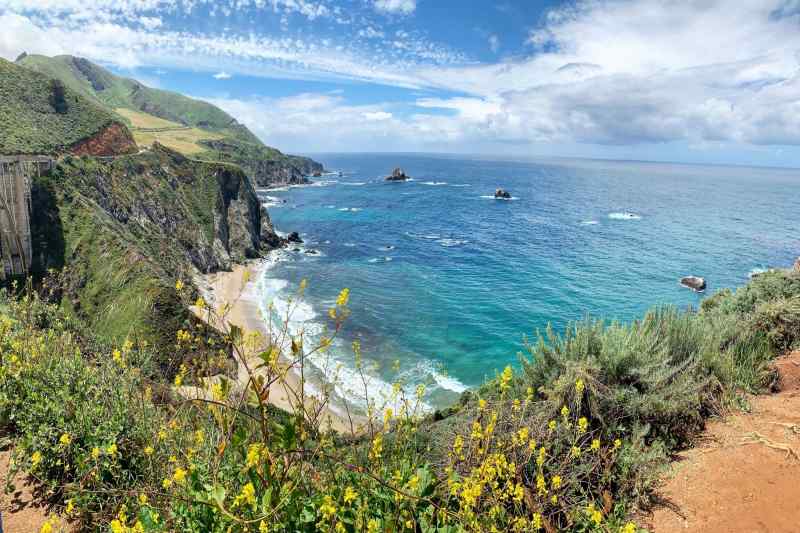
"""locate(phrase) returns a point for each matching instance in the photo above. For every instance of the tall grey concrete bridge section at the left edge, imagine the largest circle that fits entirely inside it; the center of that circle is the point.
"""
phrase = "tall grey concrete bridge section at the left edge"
(16, 177)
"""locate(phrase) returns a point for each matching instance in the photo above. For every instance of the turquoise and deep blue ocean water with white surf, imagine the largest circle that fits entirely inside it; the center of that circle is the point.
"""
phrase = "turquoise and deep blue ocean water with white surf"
(447, 280)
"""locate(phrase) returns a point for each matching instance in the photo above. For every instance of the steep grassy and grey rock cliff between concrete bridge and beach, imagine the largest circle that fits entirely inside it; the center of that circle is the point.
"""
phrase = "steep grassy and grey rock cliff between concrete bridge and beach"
(125, 230)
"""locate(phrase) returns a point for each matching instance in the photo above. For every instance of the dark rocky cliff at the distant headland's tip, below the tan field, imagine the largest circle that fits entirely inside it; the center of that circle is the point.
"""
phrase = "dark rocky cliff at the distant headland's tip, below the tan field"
(266, 167)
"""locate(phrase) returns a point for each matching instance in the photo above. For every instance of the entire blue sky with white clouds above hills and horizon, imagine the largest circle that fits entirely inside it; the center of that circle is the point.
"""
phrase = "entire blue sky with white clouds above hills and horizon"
(713, 81)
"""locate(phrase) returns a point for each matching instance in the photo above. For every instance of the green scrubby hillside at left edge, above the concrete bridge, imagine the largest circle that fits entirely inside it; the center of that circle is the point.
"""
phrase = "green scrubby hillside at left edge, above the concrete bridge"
(32, 120)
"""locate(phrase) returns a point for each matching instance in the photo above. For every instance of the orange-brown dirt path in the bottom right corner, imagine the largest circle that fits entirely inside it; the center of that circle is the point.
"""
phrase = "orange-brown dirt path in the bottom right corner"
(745, 475)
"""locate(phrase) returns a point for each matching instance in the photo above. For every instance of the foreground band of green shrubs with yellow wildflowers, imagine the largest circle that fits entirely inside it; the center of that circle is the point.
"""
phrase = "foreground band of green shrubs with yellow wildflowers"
(572, 441)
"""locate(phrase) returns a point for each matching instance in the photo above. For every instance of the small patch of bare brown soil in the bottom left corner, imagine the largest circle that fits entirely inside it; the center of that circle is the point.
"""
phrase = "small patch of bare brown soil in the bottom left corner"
(22, 510)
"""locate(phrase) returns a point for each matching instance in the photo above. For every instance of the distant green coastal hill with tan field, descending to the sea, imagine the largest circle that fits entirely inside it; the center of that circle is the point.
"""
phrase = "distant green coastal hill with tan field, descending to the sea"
(189, 126)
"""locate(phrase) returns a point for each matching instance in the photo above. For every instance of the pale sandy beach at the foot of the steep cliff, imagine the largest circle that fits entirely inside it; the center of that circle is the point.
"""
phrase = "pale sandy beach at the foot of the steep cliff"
(235, 289)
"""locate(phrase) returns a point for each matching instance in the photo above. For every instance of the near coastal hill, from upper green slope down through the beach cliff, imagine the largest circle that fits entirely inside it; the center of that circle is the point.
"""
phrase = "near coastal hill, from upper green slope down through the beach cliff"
(119, 230)
